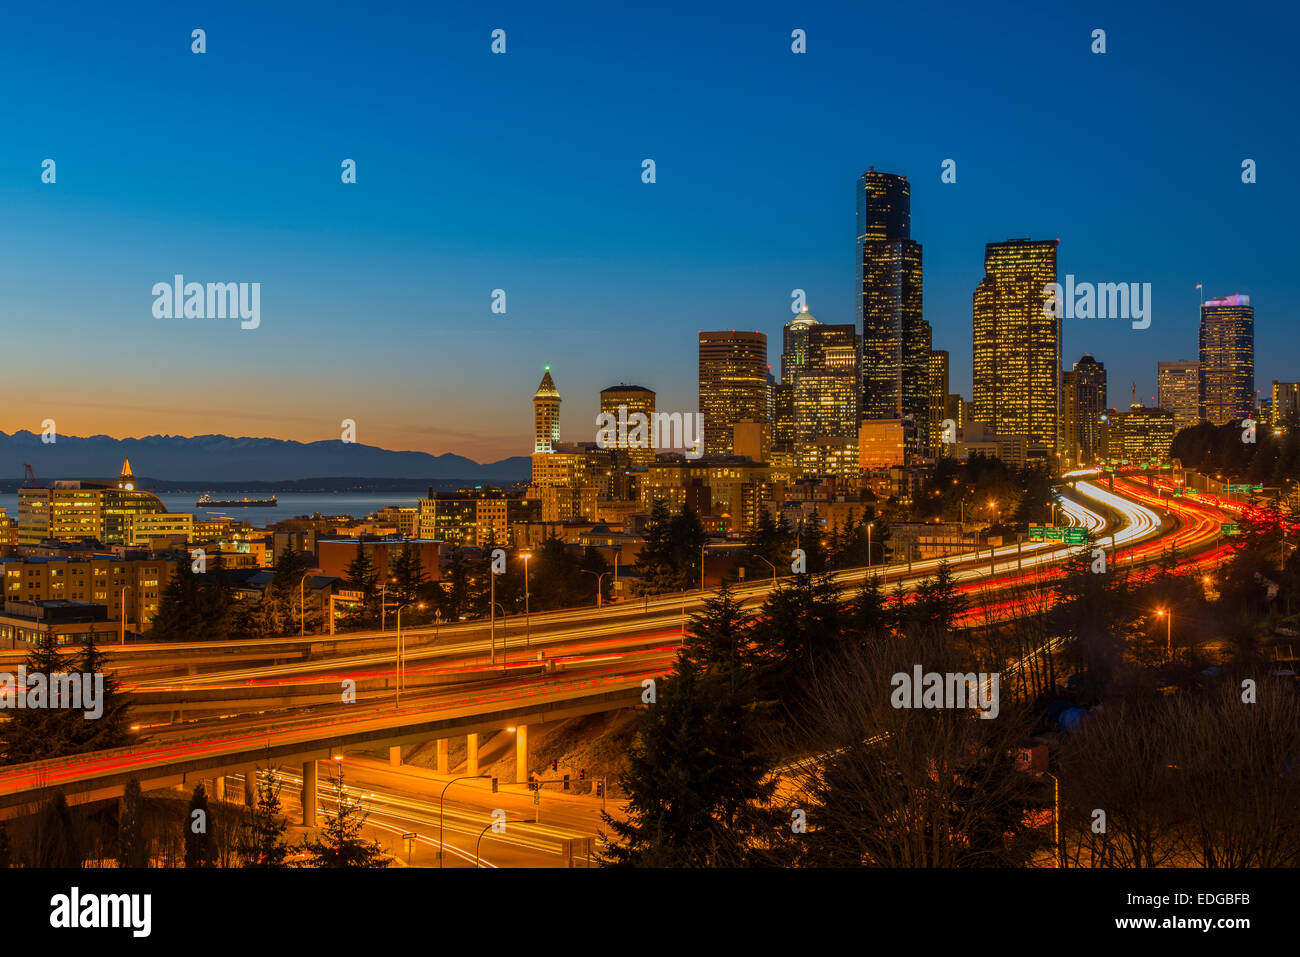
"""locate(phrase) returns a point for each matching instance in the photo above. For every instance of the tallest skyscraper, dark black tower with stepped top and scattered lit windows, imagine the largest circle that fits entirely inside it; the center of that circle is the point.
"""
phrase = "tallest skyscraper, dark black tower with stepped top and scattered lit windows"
(895, 337)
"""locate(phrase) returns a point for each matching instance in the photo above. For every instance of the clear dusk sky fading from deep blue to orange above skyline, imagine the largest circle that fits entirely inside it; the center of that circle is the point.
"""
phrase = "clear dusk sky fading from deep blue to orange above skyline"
(523, 172)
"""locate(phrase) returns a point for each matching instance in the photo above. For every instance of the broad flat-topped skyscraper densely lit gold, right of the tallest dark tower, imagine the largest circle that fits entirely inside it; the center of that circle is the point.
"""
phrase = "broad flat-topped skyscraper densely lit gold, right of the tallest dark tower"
(1017, 344)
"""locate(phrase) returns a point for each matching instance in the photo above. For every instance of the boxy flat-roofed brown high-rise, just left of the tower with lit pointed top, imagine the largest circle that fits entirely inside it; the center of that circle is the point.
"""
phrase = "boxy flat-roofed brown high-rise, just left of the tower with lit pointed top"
(733, 384)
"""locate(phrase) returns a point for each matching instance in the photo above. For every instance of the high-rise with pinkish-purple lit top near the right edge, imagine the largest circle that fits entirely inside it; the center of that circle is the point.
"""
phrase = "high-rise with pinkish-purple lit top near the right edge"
(1228, 360)
